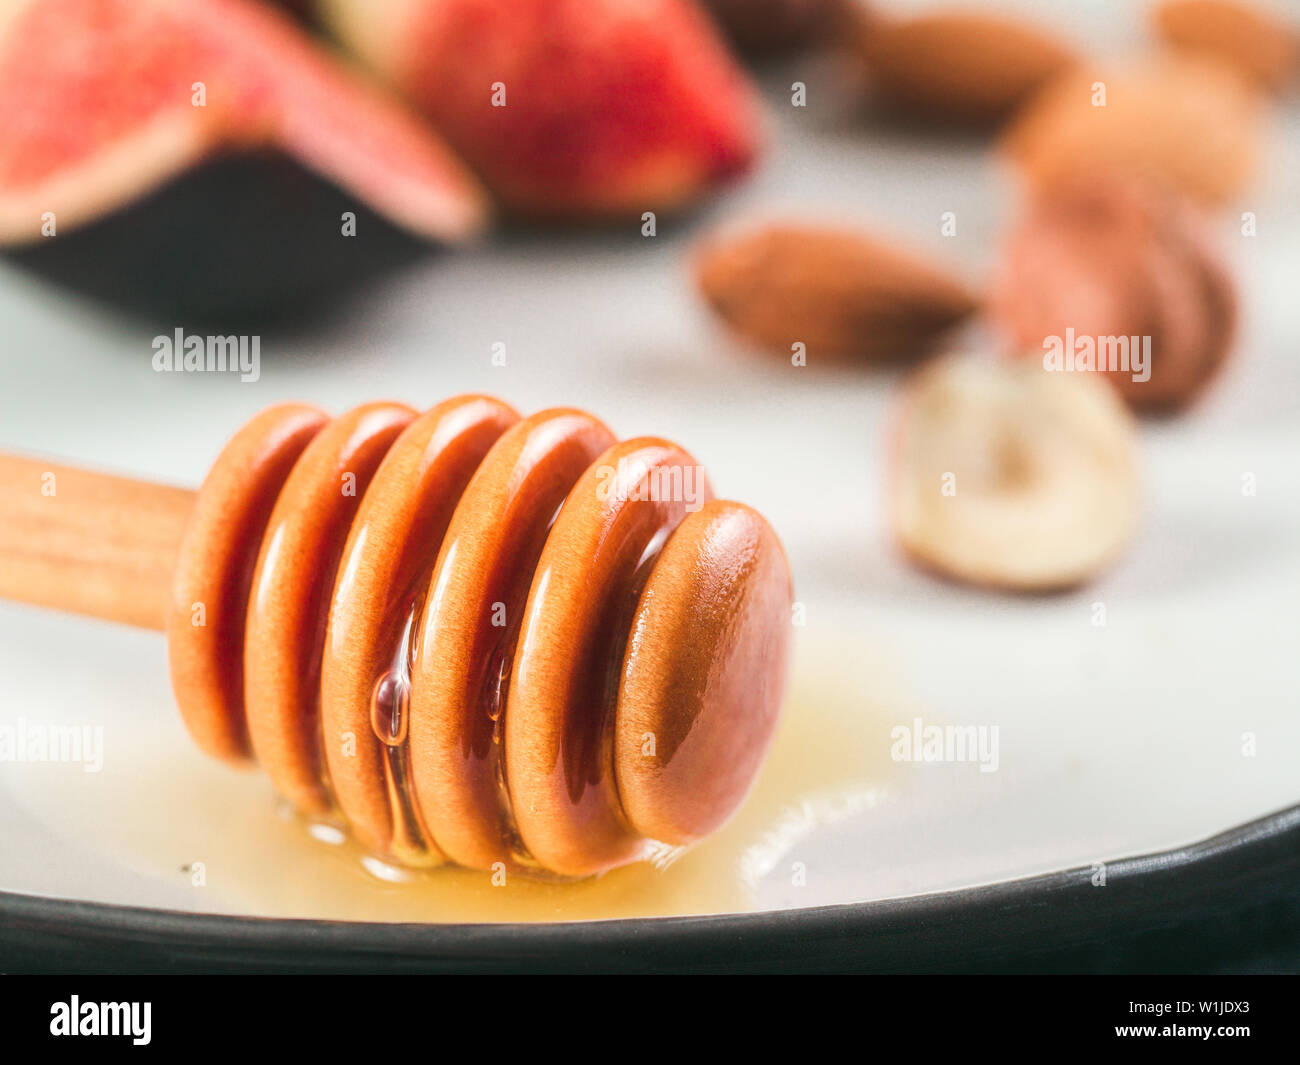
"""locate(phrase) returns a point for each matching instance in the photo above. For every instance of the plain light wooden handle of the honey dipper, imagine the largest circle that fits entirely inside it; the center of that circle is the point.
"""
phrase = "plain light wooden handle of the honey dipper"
(89, 543)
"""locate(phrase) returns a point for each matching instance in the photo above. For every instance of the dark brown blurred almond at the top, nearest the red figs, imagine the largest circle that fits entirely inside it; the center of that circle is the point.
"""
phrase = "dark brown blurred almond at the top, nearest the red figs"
(957, 66)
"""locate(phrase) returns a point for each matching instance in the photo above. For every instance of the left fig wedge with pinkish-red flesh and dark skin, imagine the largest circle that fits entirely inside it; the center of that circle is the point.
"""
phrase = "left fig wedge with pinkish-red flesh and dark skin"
(110, 102)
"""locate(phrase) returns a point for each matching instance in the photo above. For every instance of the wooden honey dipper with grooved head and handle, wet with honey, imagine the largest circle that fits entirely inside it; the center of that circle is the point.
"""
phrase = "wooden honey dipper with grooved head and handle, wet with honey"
(475, 638)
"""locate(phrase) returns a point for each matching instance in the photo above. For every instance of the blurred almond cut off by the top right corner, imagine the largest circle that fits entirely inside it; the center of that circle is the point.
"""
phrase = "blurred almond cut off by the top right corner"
(1246, 37)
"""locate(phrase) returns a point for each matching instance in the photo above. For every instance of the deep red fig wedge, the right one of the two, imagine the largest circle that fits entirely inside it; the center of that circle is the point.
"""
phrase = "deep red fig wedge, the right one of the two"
(567, 109)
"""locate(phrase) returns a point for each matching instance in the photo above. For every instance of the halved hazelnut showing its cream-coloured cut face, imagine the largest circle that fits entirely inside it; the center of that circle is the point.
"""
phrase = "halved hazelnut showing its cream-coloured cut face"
(1011, 477)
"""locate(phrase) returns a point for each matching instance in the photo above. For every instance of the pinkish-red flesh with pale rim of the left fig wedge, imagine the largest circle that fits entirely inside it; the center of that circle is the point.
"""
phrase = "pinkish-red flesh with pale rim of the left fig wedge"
(106, 101)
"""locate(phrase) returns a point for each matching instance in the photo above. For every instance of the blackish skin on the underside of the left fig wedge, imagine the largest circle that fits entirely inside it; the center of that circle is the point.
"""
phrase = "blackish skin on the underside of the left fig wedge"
(241, 241)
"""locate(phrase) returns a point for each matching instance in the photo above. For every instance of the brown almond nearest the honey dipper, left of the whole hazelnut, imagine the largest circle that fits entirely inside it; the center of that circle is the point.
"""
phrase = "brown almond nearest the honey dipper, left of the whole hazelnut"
(840, 295)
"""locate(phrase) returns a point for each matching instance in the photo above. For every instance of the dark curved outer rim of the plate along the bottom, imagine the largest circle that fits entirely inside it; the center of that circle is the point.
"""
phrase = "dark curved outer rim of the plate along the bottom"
(1198, 907)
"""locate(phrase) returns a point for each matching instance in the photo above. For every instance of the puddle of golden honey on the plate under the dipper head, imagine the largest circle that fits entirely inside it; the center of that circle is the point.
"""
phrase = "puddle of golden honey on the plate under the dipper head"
(829, 761)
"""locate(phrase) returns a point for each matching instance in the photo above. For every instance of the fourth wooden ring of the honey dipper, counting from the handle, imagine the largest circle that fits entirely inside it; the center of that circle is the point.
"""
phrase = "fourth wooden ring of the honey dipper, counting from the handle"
(488, 557)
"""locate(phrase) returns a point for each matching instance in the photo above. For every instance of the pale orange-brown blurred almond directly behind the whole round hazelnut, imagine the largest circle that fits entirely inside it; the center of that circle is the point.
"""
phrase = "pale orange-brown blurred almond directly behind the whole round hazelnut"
(1186, 122)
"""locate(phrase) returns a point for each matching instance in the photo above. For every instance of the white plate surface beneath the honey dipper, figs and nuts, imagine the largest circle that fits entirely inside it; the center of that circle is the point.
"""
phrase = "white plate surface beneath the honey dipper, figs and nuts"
(1112, 741)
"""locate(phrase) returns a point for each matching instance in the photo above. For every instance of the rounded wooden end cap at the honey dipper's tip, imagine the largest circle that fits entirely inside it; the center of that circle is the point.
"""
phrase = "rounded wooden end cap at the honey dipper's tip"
(699, 674)
